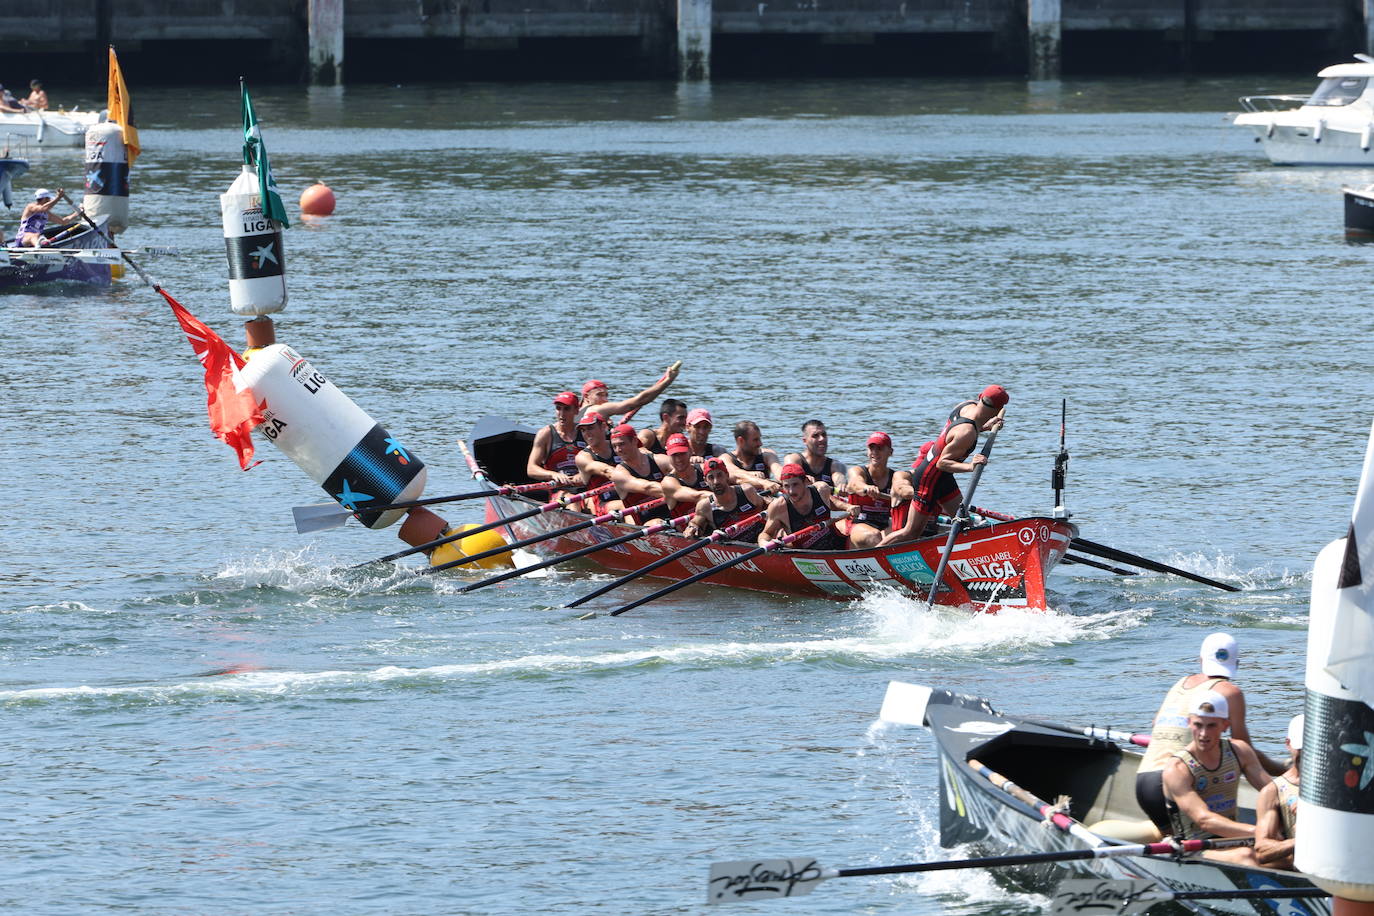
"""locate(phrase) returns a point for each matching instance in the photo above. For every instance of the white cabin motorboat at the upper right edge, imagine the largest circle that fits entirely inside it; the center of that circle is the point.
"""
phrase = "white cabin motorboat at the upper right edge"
(1333, 126)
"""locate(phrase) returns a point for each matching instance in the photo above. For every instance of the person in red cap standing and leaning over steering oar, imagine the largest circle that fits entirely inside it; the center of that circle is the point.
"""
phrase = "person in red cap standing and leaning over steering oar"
(949, 455)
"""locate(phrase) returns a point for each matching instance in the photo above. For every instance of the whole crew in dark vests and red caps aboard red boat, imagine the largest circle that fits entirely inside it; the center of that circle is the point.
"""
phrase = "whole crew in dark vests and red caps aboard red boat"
(677, 462)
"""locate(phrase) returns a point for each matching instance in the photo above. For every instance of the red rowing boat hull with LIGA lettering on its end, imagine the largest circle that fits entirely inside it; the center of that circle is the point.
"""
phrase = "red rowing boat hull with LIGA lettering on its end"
(991, 566)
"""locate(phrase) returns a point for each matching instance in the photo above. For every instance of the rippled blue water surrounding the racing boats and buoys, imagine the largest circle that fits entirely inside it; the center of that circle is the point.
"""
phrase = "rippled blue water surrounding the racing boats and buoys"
(207, 715)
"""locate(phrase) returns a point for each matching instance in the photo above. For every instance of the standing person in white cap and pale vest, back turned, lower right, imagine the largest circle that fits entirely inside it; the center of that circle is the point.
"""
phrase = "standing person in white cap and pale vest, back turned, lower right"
(1219, 660)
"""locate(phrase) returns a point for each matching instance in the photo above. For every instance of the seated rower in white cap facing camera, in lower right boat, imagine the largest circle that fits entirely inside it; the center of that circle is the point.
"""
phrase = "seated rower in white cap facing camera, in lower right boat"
(1202, 781)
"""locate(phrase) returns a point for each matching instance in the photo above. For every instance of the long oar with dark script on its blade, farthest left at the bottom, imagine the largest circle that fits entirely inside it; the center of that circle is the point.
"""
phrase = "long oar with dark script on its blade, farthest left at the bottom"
(798, 877)
